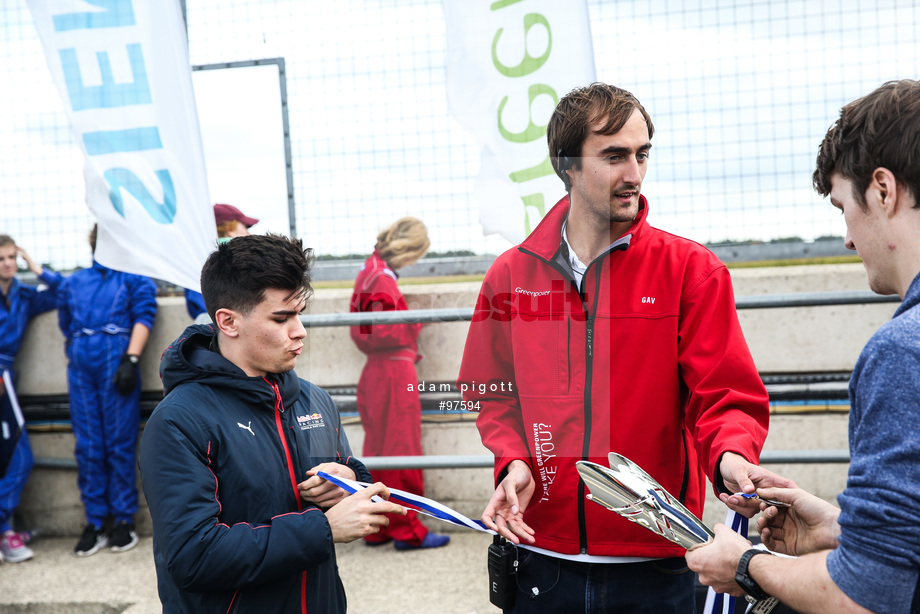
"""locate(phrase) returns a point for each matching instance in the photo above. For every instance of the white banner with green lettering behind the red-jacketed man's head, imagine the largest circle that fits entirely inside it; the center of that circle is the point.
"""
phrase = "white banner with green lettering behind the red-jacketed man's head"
(509, 62)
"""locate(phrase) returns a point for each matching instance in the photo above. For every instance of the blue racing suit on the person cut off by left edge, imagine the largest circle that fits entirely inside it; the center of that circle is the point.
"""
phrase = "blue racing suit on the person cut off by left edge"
(16, 309)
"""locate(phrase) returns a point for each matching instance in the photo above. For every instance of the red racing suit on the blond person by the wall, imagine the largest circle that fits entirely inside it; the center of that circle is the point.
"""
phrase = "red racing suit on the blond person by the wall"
(388, 399)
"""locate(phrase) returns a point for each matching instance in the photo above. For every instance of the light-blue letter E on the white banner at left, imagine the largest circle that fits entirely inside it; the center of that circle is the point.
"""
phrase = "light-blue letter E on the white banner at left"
(109, 94)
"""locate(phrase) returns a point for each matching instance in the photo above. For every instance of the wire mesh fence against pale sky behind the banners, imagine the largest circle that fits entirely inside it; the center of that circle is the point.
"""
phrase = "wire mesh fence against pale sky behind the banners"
(740, 92)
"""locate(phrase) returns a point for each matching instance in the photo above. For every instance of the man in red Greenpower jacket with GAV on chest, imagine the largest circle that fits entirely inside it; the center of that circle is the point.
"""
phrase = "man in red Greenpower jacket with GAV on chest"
(598, 334)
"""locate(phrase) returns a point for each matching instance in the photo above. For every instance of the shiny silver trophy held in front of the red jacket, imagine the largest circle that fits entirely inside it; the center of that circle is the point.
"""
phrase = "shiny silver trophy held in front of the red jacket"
(628, 490)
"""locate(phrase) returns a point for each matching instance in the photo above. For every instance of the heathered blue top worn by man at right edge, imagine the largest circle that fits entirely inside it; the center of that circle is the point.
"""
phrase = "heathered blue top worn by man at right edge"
(878, 561)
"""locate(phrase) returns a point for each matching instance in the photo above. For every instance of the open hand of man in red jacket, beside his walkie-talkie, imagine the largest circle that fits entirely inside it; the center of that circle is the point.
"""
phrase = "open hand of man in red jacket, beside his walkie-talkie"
(505, 510)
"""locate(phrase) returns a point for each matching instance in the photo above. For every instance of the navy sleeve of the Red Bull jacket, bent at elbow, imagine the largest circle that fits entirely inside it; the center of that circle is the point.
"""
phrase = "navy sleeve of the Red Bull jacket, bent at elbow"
(201, 553)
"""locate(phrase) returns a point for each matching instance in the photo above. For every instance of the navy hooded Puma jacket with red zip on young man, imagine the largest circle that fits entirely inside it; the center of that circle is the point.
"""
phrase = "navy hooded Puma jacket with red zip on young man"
(220, 460)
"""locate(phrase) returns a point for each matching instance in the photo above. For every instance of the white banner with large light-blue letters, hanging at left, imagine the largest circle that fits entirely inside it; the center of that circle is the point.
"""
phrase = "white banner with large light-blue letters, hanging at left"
(122, 69)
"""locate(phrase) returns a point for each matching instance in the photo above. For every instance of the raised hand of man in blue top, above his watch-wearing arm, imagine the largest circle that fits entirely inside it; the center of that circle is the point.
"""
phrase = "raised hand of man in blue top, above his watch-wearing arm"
(808, 526)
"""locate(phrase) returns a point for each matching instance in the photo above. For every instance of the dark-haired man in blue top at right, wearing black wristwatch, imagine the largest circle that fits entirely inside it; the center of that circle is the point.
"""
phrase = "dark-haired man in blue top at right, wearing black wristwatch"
(865, 555)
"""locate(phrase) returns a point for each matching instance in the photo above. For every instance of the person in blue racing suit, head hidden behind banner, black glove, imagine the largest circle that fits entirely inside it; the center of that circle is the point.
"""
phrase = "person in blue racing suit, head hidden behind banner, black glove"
(106, 317)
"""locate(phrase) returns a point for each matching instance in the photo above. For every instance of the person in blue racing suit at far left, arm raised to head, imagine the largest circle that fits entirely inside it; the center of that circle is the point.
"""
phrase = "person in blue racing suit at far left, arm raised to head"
(18, 304)
